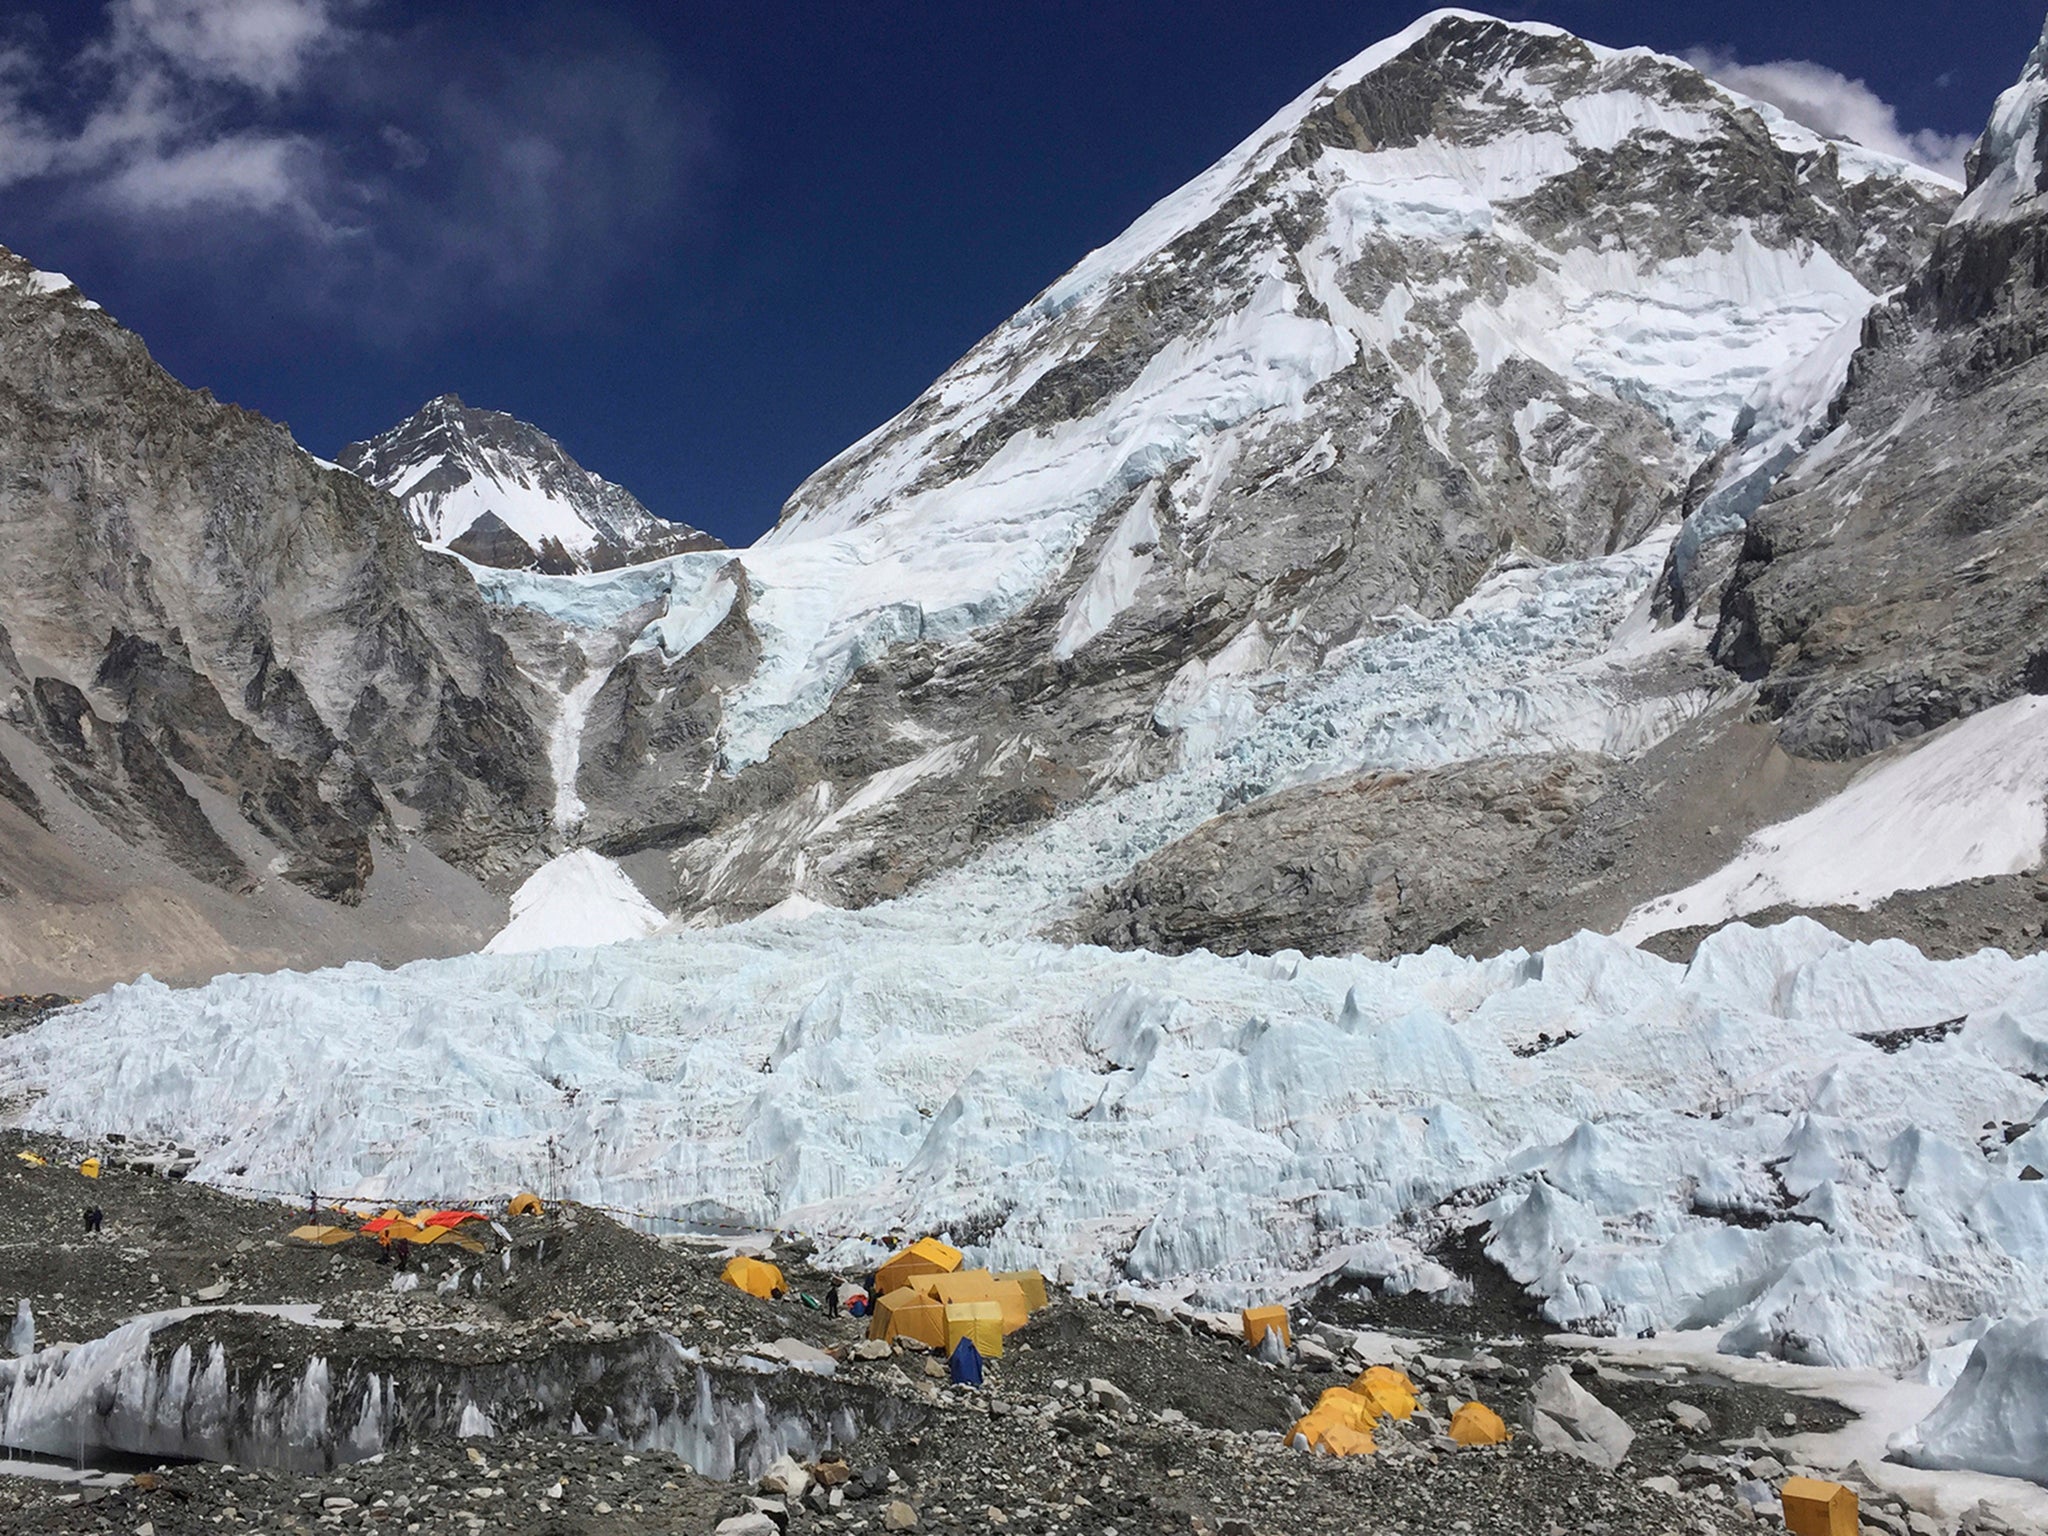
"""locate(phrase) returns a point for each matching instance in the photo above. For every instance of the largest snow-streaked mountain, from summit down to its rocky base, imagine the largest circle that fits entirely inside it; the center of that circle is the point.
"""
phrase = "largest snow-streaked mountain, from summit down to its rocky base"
(1482, 298)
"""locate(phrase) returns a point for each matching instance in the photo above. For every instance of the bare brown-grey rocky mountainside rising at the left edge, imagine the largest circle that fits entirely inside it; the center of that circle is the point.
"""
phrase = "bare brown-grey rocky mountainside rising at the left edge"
(232, 685)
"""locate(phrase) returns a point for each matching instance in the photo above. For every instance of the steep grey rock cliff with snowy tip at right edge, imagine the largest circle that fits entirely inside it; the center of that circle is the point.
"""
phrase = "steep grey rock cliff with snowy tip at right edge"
(1893, 581)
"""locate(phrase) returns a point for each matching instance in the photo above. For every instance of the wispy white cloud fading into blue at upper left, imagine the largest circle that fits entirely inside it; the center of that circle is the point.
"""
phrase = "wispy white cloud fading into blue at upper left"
(398, 177)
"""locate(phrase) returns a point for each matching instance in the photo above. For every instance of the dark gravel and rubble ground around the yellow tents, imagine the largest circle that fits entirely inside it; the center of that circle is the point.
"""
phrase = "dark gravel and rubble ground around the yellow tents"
(1099, 1418)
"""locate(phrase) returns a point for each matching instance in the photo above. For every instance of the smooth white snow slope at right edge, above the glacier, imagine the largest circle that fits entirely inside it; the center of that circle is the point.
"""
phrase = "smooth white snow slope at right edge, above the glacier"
(1967, 804)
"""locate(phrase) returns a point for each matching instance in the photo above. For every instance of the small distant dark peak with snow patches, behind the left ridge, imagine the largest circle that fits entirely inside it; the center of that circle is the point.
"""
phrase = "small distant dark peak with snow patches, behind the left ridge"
(503, 493)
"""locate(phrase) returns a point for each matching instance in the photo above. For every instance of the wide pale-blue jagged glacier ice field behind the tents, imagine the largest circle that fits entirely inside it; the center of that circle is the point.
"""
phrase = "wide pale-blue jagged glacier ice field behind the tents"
(1656, 1146)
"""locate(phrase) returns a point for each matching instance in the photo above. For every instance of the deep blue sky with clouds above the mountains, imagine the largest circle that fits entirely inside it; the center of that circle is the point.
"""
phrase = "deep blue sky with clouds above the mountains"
(703, 245)
